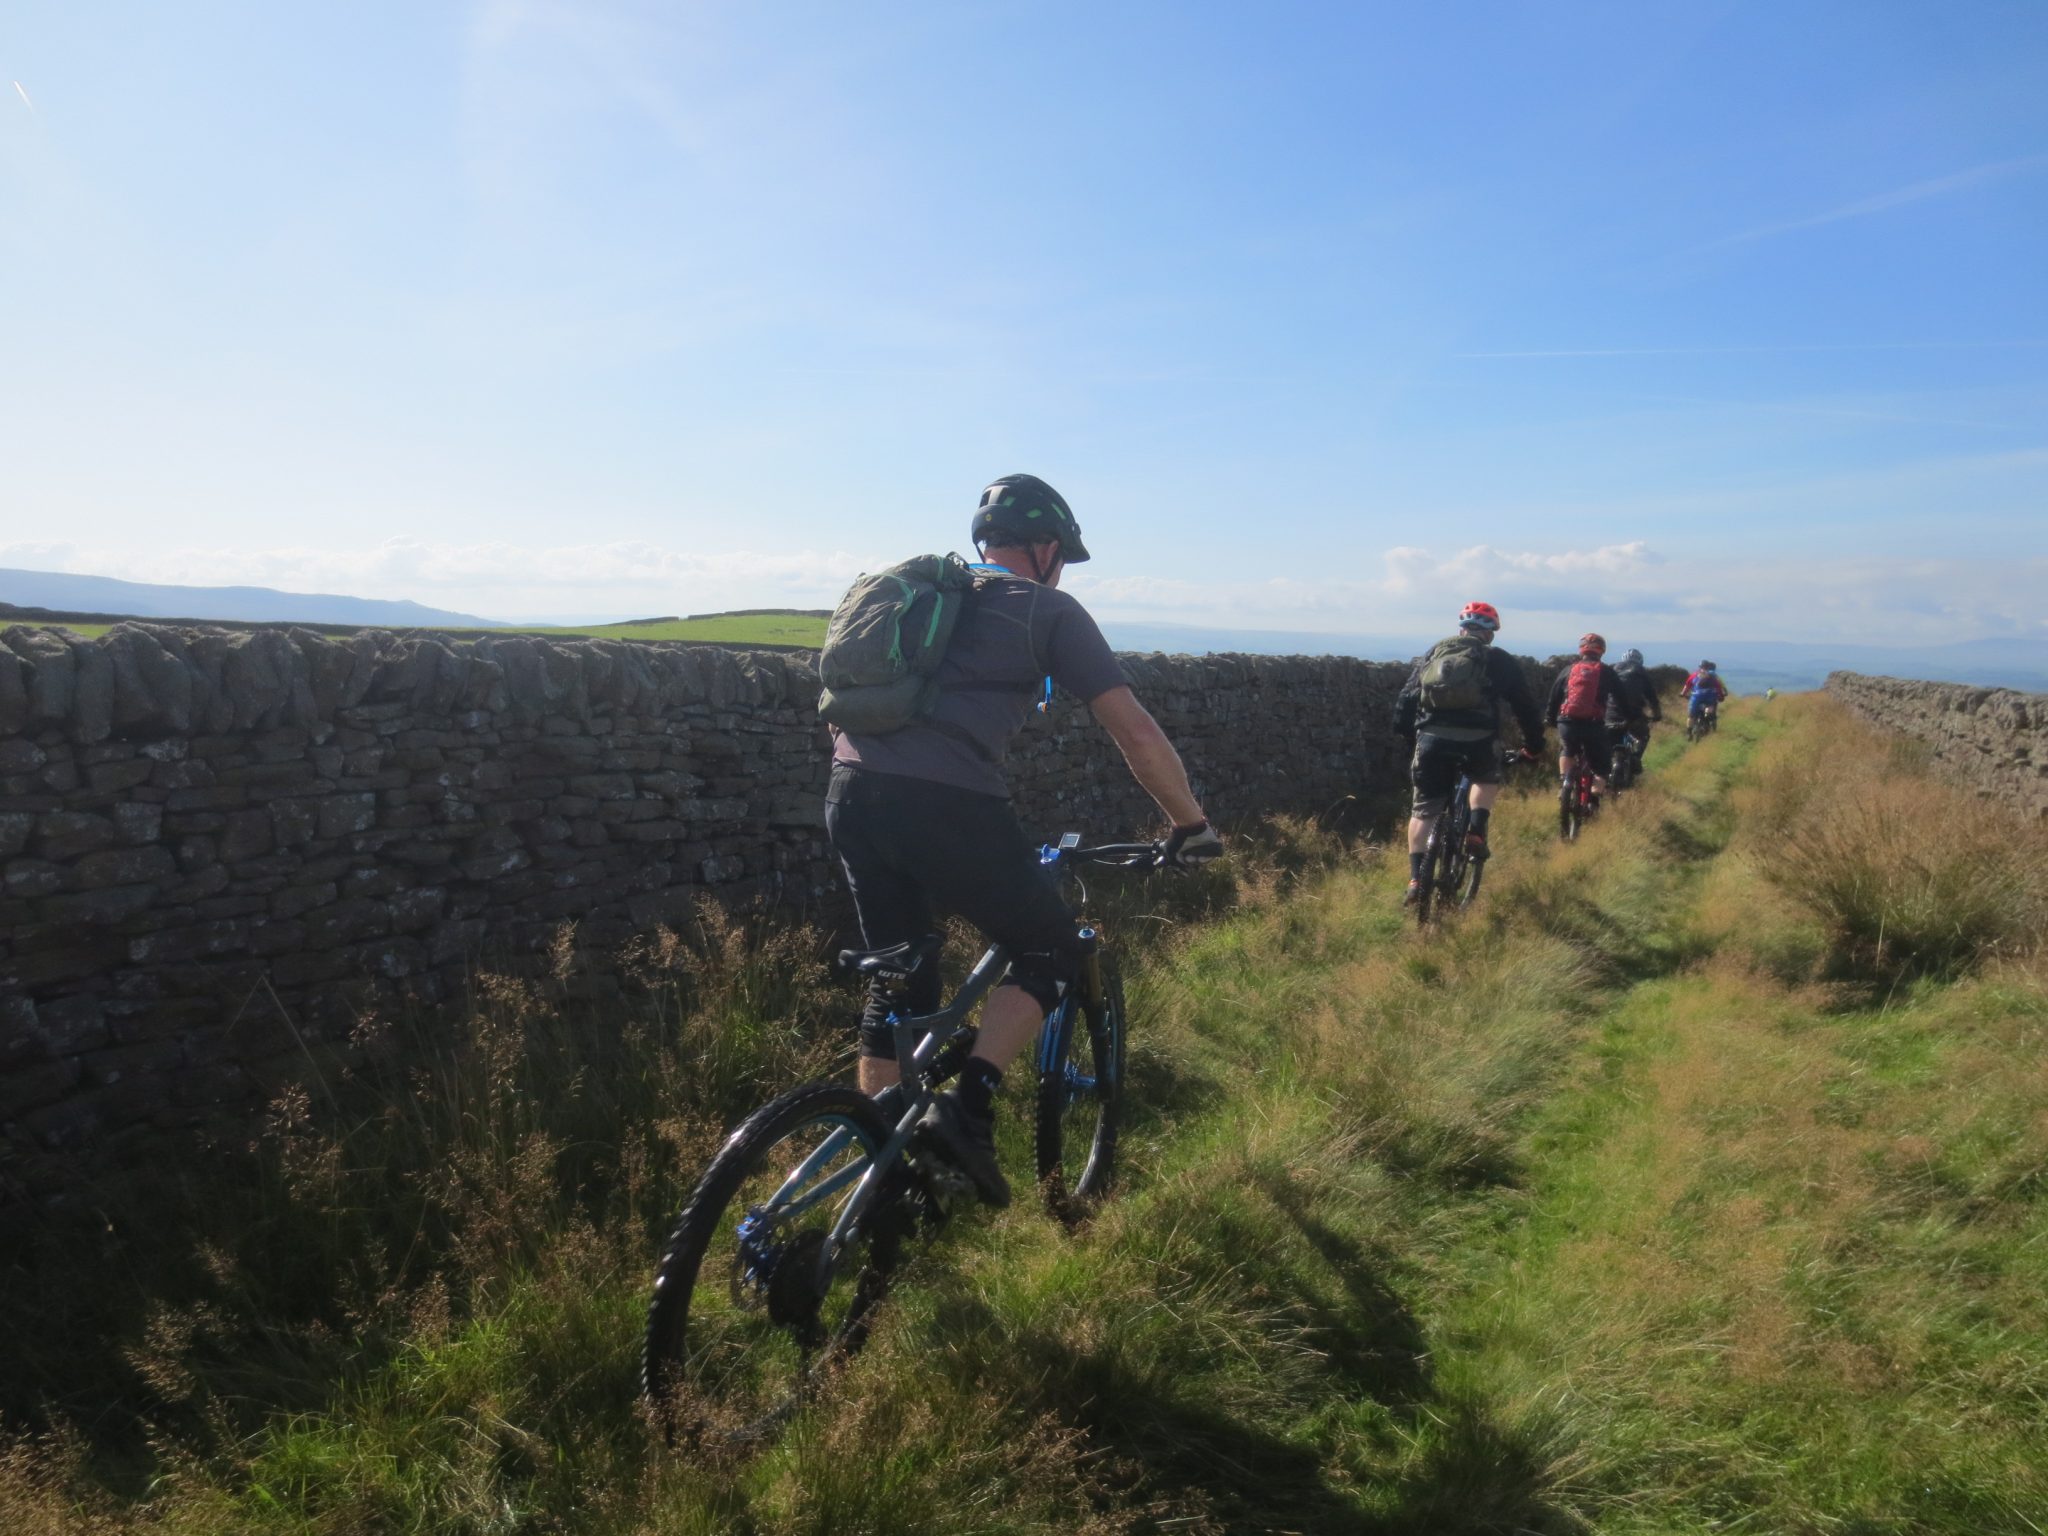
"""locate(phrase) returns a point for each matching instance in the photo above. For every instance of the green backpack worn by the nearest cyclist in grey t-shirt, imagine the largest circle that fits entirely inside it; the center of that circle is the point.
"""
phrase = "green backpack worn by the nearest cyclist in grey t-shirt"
(886, 642)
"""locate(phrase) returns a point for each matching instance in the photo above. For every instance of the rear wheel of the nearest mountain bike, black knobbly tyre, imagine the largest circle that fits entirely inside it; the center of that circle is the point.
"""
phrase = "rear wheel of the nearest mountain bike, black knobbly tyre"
(751, 1310)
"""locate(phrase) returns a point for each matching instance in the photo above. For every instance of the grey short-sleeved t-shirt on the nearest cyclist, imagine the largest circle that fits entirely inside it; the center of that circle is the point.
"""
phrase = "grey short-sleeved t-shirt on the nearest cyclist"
(1013, 636)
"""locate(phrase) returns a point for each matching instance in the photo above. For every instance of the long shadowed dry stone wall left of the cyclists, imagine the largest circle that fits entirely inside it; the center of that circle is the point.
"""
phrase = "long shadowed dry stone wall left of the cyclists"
(218, 851)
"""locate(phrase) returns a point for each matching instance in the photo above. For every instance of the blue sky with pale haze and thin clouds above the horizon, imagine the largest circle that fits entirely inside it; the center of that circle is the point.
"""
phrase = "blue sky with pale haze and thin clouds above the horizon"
(1689, 321)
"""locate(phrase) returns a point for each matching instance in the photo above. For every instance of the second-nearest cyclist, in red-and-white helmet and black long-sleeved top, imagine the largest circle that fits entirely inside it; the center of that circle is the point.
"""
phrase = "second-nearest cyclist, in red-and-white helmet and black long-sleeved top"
(1451, 710)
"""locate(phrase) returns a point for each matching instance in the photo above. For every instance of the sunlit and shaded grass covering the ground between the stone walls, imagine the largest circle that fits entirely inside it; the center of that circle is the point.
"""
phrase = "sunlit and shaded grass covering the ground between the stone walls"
(1609, 1209)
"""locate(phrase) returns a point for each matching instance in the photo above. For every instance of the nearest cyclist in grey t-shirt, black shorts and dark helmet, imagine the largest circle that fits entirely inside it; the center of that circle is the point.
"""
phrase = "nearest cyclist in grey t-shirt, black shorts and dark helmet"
(923, 814)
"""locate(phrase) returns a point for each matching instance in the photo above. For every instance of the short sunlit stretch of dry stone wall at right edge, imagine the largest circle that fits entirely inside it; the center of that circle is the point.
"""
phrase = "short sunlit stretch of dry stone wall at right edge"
(1992, 740)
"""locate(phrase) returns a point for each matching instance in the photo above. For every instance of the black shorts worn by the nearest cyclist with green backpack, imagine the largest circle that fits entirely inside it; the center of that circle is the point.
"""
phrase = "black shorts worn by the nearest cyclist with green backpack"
(908, 845)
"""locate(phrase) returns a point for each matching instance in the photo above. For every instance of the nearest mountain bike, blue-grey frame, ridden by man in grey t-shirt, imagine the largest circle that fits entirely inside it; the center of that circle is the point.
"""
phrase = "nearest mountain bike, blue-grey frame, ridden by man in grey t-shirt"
(773, 1271)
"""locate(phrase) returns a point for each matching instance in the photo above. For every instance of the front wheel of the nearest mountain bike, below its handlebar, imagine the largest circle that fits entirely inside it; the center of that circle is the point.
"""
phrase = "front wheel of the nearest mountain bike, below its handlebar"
(1080, 1099)
